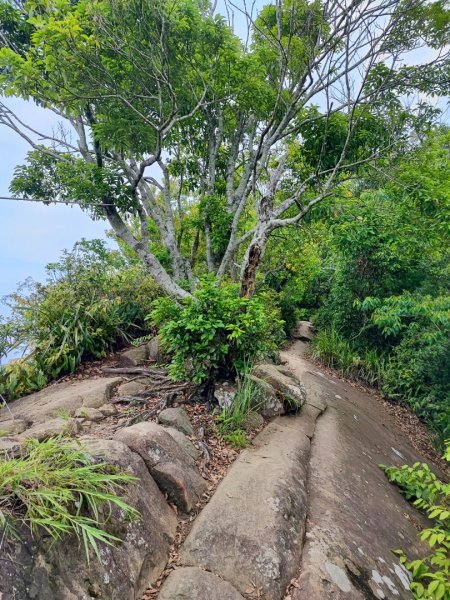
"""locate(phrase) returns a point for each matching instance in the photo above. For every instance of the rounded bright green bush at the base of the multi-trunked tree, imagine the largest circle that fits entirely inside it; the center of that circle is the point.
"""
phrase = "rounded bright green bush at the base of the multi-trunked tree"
(217, 332)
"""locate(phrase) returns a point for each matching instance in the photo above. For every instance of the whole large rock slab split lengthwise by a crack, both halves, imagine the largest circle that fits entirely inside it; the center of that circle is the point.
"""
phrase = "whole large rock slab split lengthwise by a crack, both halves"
(308, 502)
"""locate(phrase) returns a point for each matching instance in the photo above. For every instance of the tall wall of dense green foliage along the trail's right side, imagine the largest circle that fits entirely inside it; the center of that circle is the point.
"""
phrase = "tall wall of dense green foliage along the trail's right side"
(382, 294)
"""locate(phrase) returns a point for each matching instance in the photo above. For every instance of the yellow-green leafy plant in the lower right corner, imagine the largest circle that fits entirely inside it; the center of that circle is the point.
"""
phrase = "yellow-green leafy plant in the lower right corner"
(431, 574)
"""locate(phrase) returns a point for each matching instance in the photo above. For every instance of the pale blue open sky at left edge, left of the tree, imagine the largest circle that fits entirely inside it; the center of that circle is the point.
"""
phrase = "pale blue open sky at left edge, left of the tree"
(32, 235)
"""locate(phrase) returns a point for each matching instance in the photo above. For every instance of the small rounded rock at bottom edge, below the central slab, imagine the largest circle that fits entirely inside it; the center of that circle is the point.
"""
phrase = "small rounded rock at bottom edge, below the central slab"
(190, 583)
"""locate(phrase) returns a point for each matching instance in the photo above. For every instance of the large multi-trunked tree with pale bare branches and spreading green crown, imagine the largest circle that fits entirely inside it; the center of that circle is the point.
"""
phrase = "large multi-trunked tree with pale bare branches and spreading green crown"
(181, 134)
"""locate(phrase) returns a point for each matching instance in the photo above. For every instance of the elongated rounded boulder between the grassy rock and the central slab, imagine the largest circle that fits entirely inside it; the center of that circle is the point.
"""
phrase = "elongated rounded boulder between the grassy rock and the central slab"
(173, 469)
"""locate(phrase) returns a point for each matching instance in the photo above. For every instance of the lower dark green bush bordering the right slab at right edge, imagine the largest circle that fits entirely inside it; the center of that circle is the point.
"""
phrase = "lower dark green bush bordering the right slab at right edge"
(419, 367)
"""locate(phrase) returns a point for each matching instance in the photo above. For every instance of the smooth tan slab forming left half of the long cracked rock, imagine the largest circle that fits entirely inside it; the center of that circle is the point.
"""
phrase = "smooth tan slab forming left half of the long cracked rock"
(251, 531)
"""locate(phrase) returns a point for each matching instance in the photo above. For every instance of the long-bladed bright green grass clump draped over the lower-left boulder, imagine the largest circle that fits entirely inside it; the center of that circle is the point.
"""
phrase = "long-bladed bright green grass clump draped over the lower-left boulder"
(57, 487)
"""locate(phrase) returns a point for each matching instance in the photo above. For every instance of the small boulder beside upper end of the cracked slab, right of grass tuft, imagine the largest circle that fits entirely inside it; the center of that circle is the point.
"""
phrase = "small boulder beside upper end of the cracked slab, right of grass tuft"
(291, 391)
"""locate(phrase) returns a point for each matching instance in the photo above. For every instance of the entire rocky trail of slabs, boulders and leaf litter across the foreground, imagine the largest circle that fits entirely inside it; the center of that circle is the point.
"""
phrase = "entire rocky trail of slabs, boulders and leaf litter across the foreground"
(303, 513)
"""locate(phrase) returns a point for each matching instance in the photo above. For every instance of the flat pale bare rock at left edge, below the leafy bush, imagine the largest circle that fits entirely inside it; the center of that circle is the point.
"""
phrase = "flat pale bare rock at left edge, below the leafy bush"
(66, 397)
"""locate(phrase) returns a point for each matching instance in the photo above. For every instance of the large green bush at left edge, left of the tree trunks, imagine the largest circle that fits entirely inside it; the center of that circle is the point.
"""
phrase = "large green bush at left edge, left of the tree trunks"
(93, 300)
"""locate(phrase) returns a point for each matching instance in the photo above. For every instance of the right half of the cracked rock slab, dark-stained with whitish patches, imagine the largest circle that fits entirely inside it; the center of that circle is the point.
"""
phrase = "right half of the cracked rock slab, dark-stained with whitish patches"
(355, 516)
